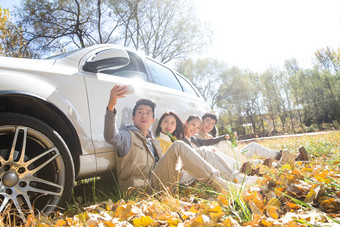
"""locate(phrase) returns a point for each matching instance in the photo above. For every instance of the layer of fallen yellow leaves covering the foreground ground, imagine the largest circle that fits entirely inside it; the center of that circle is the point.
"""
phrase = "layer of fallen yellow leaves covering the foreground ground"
(268, 203)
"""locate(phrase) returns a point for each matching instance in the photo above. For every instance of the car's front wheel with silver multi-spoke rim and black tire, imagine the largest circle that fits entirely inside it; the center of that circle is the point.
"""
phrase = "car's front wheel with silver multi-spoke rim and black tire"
(36, 168)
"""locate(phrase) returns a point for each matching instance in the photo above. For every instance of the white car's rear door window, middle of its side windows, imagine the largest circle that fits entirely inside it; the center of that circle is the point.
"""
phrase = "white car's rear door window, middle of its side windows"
(163, 76)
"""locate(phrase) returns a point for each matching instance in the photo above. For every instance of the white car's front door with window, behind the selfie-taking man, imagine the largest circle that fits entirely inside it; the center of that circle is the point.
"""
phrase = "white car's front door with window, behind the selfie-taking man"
(98, 88)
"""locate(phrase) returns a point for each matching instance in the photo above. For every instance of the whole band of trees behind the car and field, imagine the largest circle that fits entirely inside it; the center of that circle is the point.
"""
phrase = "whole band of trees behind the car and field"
(273, 102)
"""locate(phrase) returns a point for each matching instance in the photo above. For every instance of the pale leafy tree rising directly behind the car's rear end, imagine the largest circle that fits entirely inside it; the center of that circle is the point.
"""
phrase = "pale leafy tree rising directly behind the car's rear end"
(206, 74)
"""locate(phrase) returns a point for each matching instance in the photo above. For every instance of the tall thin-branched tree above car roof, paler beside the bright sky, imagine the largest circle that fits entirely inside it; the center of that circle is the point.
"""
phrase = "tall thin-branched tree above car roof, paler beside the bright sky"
(163, 29)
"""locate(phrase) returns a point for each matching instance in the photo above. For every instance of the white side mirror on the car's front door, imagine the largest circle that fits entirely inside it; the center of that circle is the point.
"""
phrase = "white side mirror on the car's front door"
(107, 59)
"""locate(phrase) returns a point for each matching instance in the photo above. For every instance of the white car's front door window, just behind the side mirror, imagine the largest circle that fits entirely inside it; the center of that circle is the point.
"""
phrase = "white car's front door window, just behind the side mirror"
(134, 69)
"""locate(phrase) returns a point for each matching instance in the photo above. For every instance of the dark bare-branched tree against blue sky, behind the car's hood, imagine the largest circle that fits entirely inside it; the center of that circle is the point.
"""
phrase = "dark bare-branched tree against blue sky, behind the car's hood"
(59, 24)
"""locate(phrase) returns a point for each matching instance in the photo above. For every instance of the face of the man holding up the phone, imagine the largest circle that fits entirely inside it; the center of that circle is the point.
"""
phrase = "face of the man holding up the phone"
(143, 118)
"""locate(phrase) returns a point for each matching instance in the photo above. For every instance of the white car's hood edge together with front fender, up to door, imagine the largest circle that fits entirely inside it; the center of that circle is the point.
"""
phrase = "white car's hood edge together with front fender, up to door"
(62, 86)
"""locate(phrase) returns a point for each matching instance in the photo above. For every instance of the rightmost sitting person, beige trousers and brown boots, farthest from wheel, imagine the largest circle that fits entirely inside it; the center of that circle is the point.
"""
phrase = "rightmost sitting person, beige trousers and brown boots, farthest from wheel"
(242, 156)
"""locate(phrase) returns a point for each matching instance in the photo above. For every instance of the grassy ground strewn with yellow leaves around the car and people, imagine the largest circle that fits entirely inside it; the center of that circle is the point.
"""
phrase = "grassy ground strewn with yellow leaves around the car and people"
(305, 194)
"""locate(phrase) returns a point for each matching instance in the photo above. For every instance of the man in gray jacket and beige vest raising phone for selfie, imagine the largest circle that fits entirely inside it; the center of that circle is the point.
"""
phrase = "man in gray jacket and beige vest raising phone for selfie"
(140, 162)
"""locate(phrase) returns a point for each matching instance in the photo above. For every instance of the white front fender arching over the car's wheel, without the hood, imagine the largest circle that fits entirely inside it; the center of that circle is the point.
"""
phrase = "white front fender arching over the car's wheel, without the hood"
(39, 87)
